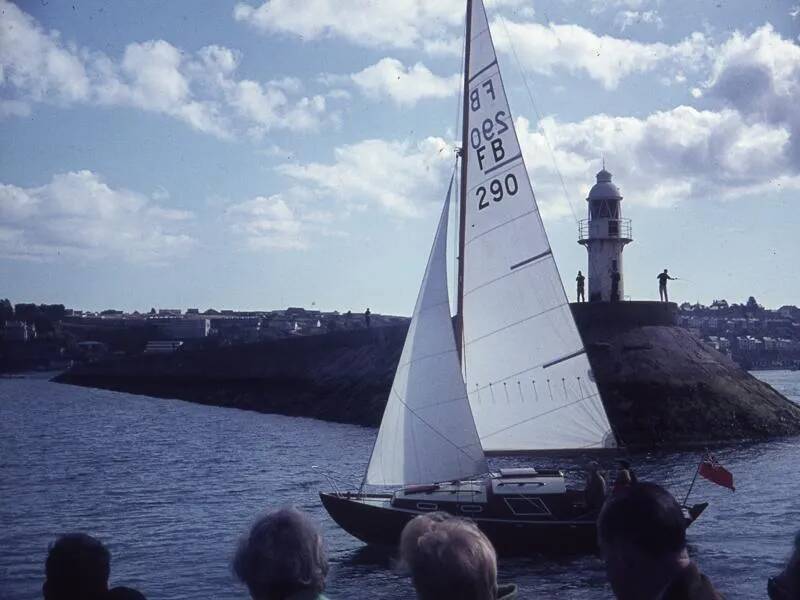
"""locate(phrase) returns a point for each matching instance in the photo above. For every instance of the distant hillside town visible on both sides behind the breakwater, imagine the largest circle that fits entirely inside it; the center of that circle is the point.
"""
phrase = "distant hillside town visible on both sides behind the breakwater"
(52, 336)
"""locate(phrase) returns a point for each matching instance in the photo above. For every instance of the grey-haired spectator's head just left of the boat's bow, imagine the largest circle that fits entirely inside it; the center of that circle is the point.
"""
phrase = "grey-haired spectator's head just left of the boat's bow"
(282, 555)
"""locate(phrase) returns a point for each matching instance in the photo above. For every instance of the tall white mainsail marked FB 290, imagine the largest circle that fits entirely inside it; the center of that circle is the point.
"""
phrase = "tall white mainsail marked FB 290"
(525, 365)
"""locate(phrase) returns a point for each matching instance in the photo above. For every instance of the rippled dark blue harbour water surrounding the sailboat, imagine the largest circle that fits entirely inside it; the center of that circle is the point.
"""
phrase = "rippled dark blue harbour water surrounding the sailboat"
(170, 485)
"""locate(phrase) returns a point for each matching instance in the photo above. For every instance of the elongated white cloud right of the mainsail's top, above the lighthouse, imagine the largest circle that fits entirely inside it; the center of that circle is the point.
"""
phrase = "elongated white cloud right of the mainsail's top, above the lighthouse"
(544, 48)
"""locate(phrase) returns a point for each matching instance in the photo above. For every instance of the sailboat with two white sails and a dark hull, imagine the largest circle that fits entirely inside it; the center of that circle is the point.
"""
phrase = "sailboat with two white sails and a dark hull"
(511, 376)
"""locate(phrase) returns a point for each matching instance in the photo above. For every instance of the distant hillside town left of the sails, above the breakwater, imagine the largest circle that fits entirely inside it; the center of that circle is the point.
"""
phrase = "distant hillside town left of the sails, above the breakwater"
(52, 336)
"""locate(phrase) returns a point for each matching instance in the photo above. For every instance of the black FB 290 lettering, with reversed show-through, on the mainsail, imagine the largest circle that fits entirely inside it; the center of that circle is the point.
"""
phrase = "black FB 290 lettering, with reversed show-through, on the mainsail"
(489, 133)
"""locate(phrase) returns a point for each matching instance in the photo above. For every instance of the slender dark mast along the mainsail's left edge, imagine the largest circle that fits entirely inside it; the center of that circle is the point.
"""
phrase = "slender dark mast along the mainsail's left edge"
(462, 217)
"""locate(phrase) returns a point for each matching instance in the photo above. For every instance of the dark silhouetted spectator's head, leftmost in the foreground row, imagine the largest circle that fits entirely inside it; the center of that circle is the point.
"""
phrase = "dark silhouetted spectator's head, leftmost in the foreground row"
(77, 566)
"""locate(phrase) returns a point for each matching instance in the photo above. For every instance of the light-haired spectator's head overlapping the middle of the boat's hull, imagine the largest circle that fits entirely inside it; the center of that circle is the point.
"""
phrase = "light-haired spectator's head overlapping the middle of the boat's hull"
(451, 558)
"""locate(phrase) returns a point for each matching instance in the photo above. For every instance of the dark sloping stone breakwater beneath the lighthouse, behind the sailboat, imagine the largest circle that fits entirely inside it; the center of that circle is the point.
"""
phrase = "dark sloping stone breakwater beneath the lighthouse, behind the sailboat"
(662, 387)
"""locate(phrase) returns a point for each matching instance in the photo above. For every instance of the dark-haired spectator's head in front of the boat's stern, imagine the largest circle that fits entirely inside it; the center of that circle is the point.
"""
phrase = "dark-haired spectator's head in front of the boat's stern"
(642, 535)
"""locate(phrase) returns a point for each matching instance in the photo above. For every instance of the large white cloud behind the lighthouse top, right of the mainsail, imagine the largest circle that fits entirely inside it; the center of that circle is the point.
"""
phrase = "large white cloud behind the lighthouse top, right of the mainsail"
(660, 160)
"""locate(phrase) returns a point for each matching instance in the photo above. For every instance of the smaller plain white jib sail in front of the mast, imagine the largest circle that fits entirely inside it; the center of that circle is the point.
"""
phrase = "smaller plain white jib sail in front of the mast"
(427, 434)
